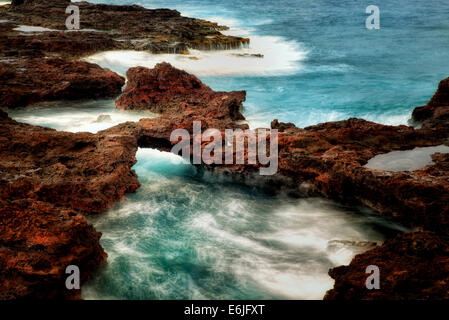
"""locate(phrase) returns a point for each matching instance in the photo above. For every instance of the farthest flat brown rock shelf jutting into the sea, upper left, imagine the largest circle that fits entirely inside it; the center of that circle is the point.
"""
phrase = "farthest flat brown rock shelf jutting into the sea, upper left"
(120, 27)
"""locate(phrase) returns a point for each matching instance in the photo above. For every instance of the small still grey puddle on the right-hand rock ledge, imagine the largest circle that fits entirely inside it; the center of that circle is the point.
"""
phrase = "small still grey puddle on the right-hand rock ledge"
(409, 160)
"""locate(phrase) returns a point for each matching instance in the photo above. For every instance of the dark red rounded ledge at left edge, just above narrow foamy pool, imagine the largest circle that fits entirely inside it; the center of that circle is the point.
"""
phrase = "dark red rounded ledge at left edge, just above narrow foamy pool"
(33, 80)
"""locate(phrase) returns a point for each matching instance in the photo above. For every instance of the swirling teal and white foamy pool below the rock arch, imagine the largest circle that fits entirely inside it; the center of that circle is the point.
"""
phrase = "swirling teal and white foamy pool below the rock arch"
(180, 237)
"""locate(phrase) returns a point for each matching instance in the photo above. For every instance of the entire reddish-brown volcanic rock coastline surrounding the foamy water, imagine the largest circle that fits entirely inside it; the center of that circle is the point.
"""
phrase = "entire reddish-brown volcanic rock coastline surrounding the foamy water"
(51, 180)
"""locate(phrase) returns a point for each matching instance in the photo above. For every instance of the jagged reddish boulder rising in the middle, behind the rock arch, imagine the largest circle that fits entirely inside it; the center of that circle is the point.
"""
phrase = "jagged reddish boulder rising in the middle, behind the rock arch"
(173, 93)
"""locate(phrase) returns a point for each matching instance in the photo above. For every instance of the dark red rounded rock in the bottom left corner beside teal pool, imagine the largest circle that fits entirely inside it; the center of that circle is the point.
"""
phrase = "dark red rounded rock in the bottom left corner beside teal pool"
(37, 242)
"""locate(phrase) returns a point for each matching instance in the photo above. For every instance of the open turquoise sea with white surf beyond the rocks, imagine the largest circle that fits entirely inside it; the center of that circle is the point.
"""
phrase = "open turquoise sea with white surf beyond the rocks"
(321, 63)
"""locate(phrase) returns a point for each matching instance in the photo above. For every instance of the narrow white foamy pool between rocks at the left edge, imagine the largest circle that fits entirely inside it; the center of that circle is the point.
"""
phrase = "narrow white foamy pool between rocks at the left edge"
(77, 116)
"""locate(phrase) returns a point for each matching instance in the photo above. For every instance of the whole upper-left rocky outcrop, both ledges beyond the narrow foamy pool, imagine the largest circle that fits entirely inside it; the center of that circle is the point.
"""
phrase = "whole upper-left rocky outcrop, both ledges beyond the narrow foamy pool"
(31, 67)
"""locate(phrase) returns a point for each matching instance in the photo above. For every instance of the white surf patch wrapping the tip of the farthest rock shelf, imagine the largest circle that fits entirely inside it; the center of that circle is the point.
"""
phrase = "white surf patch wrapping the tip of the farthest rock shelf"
(280, 57)
